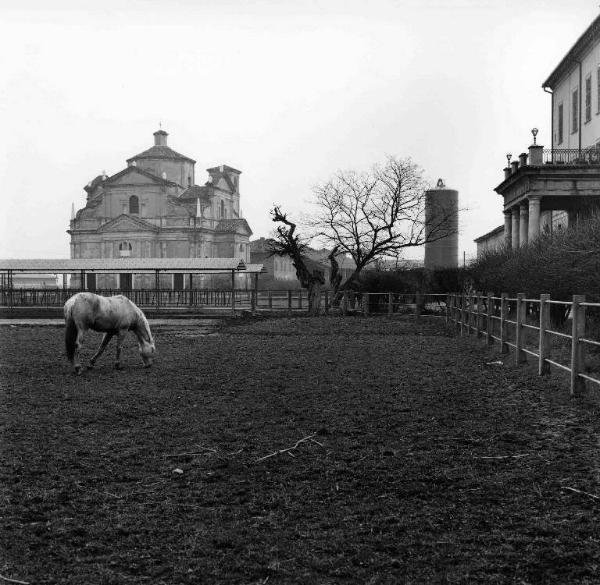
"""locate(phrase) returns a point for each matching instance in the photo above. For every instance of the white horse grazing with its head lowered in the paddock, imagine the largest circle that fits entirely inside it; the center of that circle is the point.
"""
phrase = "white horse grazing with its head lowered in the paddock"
(112, 315)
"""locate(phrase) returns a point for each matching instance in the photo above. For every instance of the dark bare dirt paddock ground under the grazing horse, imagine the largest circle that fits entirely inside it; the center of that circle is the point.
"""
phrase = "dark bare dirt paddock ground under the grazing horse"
(424, 463)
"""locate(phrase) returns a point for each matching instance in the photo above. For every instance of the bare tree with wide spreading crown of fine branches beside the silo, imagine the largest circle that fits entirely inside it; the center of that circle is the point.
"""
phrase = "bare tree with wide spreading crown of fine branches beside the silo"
(377, 214)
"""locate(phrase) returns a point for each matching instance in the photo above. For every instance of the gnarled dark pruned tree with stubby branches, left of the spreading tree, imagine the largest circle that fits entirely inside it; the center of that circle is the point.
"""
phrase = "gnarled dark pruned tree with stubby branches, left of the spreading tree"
(289, 243)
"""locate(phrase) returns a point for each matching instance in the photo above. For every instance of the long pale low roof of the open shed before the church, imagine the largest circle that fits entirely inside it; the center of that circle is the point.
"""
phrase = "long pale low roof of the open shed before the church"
(117, 265)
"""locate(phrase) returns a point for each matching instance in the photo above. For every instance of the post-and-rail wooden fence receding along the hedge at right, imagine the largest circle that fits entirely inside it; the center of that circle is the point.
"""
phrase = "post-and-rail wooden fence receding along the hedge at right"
(509, 320)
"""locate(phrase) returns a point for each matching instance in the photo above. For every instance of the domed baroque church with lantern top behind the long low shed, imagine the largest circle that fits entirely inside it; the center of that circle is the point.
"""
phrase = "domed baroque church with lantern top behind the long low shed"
(153, 208)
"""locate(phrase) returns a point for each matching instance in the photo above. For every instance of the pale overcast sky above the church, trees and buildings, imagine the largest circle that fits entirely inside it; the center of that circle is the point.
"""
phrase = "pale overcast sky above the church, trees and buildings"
(286, 91)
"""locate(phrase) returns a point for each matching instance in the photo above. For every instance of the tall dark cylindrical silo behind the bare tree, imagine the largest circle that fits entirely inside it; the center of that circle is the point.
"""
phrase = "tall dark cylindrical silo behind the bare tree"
(441, 227)
